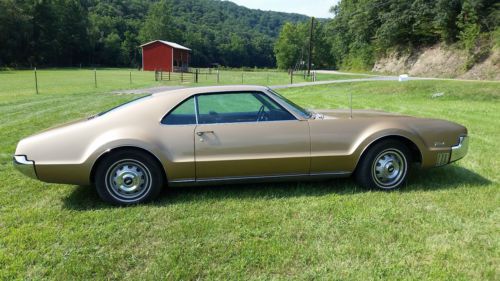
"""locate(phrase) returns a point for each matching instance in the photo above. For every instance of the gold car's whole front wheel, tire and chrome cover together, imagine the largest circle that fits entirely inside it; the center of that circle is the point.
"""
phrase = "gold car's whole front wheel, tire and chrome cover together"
(384, 166)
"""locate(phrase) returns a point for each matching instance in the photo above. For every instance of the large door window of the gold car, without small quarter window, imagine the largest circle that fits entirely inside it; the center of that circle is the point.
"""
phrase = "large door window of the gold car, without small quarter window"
(239, 107)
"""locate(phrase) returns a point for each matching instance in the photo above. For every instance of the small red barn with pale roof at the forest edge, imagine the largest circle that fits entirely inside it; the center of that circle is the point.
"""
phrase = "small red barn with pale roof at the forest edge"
(165, 56)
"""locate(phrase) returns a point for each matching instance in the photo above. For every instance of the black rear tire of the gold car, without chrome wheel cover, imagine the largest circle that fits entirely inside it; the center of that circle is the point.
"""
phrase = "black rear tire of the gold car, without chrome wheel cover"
(154, 169)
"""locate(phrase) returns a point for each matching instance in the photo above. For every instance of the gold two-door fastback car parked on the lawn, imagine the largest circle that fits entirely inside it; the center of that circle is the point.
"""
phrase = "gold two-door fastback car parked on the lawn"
(232, 134)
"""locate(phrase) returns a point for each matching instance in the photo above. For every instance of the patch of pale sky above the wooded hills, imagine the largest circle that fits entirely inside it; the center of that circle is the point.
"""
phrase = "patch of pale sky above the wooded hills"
(313, 8)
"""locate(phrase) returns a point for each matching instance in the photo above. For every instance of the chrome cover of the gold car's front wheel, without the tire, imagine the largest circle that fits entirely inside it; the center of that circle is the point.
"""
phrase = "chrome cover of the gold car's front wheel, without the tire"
(389, 168)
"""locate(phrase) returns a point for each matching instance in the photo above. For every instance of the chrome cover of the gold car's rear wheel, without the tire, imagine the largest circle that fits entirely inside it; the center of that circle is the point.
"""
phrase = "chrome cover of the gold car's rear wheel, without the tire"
(128, 180)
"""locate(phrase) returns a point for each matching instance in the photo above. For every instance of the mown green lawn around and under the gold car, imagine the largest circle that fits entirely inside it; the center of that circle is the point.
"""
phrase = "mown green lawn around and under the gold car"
(444, 225)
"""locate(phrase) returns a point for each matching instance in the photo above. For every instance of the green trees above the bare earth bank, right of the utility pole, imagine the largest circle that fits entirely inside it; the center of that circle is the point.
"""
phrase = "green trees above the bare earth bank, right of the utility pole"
(363, 30)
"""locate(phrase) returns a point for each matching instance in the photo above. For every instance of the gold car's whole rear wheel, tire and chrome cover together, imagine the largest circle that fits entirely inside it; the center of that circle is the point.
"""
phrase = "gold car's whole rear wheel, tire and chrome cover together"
(129, 177)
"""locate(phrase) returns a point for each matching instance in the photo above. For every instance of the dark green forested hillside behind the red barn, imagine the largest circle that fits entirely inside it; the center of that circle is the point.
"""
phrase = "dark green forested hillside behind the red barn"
(109, 32)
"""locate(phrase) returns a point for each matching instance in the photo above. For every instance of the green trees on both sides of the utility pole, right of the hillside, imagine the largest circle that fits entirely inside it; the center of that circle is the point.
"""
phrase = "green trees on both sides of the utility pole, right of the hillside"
(363, 30)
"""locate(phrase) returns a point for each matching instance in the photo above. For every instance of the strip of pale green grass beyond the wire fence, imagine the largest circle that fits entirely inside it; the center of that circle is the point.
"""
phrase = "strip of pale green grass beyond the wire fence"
(77, 81)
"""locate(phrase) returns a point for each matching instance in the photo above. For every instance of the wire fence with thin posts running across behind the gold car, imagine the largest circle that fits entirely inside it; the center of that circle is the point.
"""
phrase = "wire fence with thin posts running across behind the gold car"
(43, 81)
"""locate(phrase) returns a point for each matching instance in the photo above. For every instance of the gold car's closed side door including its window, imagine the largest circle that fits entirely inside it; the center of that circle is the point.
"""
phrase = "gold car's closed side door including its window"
(247, 134)
